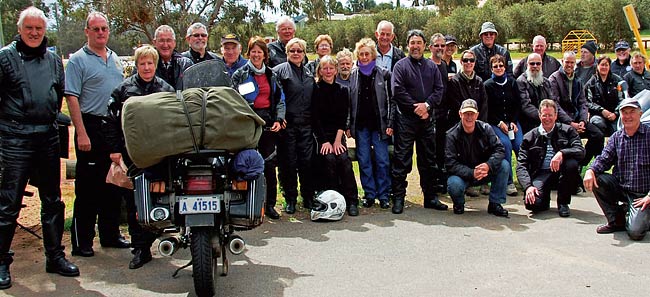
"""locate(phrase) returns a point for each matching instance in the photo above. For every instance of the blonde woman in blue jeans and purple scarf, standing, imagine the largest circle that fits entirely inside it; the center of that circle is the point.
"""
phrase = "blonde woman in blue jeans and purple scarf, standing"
(371, 122)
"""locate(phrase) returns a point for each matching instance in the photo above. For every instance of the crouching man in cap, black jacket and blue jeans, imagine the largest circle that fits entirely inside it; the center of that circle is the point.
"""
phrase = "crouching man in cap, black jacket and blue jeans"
(475, 156)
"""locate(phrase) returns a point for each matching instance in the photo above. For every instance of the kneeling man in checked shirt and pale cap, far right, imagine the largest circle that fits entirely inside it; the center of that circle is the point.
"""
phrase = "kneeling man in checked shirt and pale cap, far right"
(628, 150)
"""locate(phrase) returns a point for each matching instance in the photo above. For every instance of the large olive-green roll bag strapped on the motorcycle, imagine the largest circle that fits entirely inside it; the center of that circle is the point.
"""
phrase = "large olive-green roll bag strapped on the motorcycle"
(158, 125)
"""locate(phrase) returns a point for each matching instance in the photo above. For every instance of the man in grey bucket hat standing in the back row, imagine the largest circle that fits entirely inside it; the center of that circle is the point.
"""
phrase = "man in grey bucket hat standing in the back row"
(488, 48)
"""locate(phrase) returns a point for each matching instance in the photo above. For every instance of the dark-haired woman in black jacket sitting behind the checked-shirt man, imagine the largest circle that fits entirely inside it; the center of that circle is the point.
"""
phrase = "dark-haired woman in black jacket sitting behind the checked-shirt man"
(603, 96)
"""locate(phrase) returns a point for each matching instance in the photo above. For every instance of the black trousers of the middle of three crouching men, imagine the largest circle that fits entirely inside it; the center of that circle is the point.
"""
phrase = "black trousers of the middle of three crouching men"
(565, 181)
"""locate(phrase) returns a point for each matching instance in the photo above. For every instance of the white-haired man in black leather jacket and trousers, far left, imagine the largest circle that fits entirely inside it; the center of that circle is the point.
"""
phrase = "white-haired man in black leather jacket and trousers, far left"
(31, 92)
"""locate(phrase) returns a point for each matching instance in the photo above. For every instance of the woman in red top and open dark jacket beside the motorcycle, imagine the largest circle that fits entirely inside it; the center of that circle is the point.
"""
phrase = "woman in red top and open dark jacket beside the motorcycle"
(259, 86)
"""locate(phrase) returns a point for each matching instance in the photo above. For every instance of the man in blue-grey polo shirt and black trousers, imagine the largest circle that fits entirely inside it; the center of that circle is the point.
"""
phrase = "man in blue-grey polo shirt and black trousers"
(91, 74)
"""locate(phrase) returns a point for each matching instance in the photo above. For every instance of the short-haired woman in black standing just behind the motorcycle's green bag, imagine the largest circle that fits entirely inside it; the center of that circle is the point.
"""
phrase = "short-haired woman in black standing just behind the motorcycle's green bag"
(143, 83)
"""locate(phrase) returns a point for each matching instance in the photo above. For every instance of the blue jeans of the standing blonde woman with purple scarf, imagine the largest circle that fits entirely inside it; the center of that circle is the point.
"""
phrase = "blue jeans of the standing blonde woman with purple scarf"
(375, 180)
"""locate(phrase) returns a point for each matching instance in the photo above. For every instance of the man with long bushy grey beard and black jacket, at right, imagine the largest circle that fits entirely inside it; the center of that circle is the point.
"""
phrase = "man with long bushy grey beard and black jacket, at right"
(533, 88)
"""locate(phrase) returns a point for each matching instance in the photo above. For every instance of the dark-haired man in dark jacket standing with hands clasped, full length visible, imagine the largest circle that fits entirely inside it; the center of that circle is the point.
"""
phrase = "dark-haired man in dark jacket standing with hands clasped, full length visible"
(417, 89)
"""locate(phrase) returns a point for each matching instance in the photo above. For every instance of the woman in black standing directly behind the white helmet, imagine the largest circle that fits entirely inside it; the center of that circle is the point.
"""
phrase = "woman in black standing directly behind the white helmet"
(330, 104)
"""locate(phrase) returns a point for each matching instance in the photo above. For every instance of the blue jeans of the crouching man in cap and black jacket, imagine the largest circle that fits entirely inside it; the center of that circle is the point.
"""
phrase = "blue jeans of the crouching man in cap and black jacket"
(456, 185)
